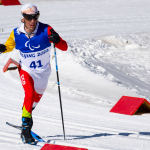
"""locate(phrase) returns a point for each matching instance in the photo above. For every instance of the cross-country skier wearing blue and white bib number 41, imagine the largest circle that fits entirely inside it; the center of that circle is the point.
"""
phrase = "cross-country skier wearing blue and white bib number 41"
(33, 40)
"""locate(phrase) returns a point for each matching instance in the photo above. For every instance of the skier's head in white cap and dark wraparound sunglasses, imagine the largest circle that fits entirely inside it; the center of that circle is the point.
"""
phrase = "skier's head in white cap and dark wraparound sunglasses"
(29, 16)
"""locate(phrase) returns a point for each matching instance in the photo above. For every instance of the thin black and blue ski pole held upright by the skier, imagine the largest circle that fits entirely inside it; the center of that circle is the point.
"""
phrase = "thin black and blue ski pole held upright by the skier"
(59, 91)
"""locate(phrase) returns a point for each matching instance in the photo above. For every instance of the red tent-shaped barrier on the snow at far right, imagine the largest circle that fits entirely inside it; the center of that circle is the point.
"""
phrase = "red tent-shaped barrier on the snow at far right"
(131, 105)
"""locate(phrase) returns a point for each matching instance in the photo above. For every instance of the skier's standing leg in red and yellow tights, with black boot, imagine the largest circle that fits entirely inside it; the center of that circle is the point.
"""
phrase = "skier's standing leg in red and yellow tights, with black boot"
(27, 122)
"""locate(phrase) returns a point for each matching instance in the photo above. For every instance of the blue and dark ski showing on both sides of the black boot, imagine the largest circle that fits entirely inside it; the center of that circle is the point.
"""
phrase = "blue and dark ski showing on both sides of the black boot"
(34, 135)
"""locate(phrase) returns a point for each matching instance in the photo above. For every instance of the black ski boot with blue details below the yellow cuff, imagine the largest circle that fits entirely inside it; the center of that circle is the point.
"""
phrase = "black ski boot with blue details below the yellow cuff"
(26, 131)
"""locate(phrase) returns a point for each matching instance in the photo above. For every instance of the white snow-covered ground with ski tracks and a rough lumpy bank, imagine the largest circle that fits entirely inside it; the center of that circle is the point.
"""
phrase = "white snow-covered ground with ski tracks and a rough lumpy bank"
(108, 57)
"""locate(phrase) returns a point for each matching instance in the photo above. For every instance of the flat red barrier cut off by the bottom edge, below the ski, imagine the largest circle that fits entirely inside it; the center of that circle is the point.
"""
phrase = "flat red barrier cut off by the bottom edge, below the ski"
(60, 147)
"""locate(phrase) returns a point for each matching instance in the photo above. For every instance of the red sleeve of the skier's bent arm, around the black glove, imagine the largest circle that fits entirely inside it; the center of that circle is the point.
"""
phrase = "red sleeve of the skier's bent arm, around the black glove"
(62, 44)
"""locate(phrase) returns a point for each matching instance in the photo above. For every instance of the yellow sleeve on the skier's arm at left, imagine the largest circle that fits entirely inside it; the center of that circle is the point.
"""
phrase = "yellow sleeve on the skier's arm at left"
(10, 43)
